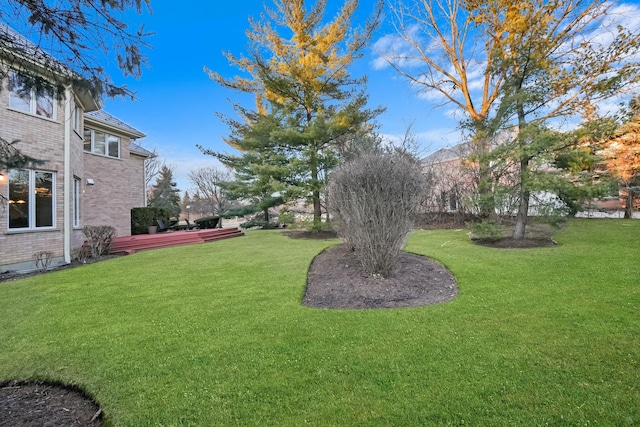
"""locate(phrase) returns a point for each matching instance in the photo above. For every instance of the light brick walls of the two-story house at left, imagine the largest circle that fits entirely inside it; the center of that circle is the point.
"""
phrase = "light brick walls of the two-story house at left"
(119, 185)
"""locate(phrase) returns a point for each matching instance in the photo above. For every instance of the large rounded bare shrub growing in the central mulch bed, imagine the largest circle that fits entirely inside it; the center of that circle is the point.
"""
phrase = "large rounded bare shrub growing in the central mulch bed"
(374, 199)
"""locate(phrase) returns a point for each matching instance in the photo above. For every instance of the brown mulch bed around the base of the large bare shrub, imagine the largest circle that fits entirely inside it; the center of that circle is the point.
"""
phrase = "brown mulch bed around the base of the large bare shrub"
(335, 280)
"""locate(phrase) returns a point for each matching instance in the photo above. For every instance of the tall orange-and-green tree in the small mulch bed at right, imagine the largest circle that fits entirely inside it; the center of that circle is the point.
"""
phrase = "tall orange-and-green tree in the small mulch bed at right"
(552, 67)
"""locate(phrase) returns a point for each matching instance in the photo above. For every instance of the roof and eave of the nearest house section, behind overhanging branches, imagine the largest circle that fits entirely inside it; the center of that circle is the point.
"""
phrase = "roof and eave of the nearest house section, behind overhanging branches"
(18, 50)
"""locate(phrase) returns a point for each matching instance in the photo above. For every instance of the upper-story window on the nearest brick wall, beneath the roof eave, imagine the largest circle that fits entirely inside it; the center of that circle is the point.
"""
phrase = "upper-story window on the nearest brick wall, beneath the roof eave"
(24, 97)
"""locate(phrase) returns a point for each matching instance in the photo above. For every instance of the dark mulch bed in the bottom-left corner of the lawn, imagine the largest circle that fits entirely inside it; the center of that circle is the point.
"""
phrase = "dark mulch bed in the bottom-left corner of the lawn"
(39, 404)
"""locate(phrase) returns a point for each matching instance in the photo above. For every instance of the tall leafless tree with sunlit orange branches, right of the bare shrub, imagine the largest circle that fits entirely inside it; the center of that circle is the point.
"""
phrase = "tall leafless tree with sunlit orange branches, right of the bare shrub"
(444, 51)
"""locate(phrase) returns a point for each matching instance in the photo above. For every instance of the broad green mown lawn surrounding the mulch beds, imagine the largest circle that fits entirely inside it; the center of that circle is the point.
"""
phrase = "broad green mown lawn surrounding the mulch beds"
(215, 334)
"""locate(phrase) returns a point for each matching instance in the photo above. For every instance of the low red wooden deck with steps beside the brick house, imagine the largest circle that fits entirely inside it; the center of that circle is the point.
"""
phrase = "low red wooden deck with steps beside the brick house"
(131, 244)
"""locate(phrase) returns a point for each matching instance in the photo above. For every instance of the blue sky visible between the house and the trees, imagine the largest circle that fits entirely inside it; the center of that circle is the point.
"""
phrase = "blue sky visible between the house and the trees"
(177, 100)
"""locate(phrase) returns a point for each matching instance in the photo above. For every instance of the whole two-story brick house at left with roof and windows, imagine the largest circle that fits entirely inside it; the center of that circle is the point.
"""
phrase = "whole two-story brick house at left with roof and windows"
(92, 171)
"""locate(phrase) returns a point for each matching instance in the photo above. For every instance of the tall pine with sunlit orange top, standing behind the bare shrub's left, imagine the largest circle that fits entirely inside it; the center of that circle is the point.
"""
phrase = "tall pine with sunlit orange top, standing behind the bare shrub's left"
(306, 100)
